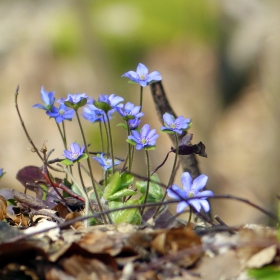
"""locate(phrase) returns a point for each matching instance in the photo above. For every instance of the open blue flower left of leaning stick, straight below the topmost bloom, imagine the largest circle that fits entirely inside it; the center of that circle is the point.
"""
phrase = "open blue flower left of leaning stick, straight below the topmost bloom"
(145, 139)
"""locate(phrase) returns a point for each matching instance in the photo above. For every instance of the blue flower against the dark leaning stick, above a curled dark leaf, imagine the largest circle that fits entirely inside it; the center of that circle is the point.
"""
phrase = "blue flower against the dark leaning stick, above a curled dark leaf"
(176, 125)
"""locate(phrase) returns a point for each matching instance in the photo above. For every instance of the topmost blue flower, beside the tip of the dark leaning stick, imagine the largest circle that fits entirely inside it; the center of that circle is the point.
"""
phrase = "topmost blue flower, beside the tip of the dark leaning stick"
(142, 77)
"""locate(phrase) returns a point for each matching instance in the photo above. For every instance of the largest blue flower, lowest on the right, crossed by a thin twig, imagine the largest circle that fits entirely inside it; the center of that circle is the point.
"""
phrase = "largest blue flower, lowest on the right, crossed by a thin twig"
(191, 189)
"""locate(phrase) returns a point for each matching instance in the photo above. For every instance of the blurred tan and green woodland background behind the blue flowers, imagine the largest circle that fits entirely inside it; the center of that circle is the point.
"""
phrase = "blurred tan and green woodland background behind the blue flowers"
(220, 62)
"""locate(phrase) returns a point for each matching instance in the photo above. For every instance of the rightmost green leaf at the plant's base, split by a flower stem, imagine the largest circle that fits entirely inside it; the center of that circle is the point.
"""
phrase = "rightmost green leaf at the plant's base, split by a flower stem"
(155, 190)
